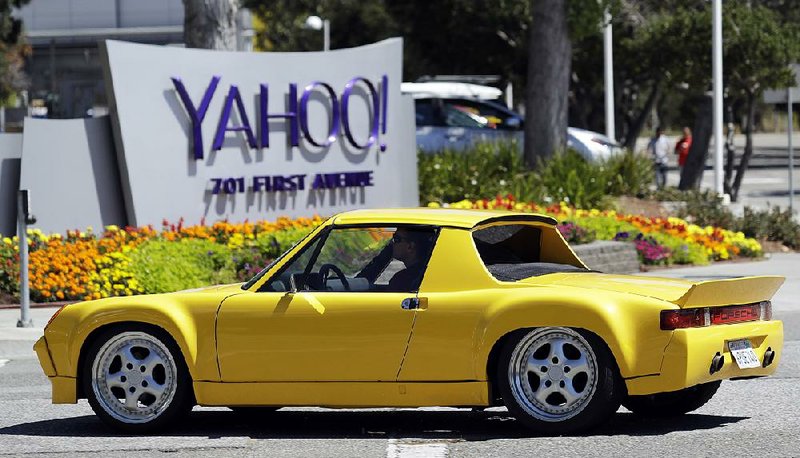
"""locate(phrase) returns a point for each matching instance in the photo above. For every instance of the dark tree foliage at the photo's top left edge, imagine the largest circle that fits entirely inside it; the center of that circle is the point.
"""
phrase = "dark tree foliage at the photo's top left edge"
(13, 51)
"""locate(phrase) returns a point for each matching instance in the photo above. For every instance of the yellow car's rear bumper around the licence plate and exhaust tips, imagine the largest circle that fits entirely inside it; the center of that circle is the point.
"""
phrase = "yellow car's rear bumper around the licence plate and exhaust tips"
(688, 356)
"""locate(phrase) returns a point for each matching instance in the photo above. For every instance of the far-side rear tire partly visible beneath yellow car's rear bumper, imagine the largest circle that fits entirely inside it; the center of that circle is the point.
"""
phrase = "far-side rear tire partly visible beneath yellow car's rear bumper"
(673, 403)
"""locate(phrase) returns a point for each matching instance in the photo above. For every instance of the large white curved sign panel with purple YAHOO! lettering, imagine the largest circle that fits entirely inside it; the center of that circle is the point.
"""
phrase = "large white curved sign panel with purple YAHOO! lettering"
(209, 135)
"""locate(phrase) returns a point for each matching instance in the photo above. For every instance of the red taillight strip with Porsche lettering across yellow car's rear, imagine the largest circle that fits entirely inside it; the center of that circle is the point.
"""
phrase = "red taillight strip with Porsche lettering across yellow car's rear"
(707, 316)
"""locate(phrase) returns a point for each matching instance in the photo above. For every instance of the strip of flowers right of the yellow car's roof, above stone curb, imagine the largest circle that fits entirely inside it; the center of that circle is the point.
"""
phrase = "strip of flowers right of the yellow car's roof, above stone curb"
(658, 240)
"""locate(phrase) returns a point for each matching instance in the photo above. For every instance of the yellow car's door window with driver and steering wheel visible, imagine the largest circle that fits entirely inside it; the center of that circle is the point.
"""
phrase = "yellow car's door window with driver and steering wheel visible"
(357, 259)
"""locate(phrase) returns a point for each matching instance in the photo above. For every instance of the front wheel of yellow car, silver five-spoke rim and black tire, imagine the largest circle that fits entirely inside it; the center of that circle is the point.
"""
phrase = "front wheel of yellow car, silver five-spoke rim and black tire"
(136, 380)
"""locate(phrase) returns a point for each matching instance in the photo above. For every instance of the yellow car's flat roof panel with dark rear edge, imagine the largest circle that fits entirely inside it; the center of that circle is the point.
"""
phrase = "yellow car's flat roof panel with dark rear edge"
(448, 217)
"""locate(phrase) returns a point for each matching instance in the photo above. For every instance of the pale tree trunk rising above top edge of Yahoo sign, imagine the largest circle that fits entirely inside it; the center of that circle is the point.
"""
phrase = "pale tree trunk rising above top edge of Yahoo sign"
(210, 24)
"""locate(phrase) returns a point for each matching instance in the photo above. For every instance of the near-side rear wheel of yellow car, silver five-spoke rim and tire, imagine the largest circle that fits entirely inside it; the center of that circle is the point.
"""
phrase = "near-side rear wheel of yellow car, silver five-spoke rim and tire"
(559, 380)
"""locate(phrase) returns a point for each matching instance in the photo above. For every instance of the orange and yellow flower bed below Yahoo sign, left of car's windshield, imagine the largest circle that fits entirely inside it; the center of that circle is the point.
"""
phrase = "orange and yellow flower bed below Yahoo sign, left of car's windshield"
(122, 262)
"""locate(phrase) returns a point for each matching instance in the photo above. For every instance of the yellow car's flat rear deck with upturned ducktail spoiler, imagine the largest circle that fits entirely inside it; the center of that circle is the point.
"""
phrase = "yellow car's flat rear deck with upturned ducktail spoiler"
(682, 293)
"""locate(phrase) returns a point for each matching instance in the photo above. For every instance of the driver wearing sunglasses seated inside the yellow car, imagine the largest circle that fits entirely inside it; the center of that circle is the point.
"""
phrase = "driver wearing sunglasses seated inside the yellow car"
(409, 247)
